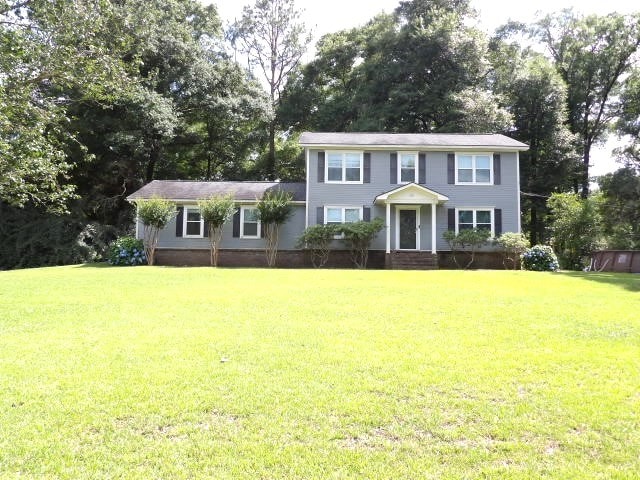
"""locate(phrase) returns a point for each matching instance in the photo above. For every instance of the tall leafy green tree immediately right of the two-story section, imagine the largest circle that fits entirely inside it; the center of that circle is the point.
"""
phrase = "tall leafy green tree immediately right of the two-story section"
(535, 95)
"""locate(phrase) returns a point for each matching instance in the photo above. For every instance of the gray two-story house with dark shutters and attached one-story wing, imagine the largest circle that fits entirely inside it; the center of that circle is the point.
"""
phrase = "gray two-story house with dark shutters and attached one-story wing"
(420, 184)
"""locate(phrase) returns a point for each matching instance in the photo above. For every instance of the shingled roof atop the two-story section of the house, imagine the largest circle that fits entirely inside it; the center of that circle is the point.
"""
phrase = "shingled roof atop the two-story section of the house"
(447, 140)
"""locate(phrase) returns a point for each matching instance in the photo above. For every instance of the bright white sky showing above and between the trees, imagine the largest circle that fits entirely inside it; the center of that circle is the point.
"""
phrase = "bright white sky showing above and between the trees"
(326, 16)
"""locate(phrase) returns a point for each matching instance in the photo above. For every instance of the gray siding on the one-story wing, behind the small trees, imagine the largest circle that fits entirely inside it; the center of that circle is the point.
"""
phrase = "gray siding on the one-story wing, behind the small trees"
(289, 233)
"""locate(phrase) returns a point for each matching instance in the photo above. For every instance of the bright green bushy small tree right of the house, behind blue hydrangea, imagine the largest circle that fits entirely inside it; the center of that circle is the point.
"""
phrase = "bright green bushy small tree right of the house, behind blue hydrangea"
(576, 228)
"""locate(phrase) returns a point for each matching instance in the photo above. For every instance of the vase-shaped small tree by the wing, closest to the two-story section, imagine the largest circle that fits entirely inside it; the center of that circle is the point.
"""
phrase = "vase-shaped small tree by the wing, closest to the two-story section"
(273, 210)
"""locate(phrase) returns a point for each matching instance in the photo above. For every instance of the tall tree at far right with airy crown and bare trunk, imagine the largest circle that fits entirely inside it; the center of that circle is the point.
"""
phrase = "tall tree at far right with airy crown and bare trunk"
(593, 54)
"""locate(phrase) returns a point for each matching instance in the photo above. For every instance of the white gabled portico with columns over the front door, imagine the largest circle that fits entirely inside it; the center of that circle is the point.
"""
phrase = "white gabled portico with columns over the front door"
(408, 200)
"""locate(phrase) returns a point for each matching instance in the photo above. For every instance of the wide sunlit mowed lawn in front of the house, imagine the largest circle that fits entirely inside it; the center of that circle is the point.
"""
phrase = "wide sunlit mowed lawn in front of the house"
(154, 372)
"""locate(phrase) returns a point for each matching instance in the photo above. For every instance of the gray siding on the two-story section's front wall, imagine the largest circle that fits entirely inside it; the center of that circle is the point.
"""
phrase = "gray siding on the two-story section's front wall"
(503, 196)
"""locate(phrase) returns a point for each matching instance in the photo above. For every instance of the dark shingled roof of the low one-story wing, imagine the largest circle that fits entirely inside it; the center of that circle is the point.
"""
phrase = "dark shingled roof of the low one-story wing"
(186, 190)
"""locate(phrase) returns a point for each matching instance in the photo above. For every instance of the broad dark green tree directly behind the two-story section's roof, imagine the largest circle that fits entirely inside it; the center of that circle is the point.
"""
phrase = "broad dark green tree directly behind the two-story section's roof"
(421, 69)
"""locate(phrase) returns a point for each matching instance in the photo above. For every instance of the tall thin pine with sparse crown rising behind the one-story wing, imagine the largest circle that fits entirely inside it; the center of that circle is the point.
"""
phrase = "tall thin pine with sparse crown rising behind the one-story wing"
(274, 39)
